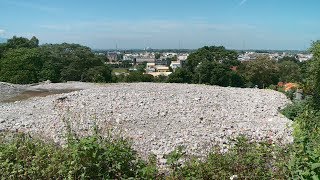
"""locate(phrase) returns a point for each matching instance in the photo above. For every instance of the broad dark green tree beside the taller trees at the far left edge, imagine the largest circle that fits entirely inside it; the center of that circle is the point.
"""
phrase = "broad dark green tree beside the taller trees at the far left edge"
(73, 62)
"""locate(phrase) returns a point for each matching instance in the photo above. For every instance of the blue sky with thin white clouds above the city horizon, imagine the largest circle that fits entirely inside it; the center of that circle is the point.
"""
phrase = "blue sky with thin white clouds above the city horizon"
(103, 24)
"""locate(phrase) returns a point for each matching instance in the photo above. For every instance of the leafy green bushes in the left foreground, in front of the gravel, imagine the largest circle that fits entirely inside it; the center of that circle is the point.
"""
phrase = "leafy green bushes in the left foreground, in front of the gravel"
(95, 157)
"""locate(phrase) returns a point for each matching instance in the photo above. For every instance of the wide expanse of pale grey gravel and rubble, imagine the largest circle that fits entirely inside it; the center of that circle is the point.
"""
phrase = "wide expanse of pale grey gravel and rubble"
(157, 117)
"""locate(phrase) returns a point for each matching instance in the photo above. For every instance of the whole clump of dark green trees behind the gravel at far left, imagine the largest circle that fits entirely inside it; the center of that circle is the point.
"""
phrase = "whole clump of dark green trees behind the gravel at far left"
(22, 61)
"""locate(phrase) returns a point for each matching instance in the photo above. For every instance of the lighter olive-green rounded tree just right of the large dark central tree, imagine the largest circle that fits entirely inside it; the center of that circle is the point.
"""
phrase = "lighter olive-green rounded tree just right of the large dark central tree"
(262, 72)
